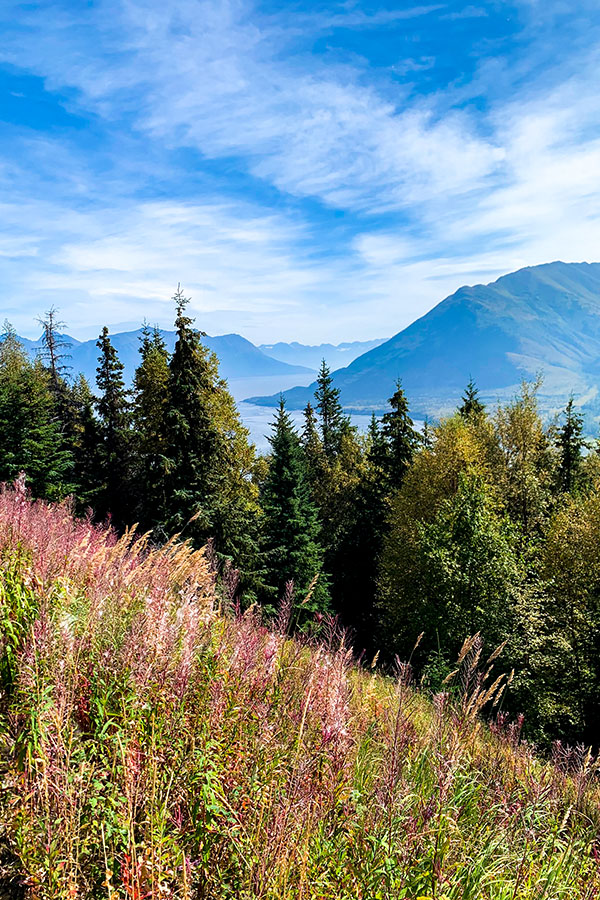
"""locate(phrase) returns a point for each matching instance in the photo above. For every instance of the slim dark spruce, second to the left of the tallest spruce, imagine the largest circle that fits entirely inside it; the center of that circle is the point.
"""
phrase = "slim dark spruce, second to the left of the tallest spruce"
(115, 422)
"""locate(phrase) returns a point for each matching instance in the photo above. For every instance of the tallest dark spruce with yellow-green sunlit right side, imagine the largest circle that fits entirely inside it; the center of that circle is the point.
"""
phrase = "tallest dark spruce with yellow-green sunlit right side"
(209, 489)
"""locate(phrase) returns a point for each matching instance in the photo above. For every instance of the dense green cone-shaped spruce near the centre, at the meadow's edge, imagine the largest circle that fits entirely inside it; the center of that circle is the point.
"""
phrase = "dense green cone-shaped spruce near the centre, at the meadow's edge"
(292, 548)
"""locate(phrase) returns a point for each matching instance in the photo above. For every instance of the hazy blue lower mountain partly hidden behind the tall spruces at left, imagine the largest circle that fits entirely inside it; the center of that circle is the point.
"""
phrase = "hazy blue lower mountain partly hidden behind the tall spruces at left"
(238, 358)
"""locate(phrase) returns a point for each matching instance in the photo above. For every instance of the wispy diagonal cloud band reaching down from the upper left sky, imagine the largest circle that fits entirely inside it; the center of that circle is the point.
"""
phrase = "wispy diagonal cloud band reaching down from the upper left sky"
(205, 75)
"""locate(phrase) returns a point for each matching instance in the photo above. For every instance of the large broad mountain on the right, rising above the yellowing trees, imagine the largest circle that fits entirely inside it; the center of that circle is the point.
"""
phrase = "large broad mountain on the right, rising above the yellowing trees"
(541, 319)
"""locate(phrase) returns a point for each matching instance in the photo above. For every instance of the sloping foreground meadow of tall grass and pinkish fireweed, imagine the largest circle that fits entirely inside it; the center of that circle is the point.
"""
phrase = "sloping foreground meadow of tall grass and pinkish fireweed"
(152, 747)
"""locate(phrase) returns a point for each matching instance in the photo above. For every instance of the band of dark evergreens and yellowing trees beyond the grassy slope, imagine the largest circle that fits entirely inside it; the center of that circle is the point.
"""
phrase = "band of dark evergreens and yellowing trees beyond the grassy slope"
(488, 521)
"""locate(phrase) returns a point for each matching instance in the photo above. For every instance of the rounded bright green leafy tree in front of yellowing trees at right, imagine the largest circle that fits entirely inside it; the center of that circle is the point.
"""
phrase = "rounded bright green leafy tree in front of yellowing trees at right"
(457, 576)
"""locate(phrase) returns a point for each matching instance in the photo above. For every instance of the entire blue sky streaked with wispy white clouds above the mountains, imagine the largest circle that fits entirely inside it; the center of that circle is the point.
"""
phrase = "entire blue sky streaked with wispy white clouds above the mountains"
(310, 171)
